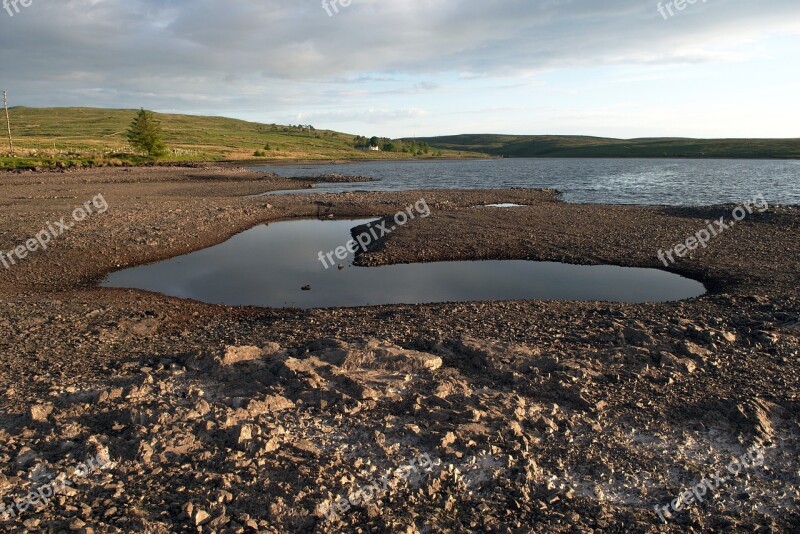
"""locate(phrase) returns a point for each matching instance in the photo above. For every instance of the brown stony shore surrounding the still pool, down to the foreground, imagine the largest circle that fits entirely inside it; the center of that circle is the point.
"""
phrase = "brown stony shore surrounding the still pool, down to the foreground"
(536, 416)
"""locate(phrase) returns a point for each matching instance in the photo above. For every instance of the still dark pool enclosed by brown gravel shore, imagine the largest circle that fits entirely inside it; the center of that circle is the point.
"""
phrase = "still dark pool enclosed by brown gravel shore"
(268, 266)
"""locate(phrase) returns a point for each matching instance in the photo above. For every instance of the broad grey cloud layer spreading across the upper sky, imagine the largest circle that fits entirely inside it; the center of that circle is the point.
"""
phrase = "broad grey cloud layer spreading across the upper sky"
(235, 55)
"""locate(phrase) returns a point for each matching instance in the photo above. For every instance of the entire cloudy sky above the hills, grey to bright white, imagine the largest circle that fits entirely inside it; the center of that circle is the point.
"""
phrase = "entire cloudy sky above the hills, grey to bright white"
(413, 68)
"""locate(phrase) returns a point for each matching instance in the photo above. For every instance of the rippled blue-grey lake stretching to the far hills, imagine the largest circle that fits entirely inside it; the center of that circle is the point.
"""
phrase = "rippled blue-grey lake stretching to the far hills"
(600, 181)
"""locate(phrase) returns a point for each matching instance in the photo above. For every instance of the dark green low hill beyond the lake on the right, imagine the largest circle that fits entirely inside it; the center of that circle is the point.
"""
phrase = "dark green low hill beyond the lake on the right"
(585, 147)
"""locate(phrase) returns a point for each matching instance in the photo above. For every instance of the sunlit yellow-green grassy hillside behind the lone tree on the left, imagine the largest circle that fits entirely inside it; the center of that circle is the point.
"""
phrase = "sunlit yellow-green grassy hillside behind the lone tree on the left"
(45, 137)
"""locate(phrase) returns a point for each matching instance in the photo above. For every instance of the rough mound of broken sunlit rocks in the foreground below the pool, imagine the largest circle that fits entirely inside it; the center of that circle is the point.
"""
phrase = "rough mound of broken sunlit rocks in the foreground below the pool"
(266, 438)
